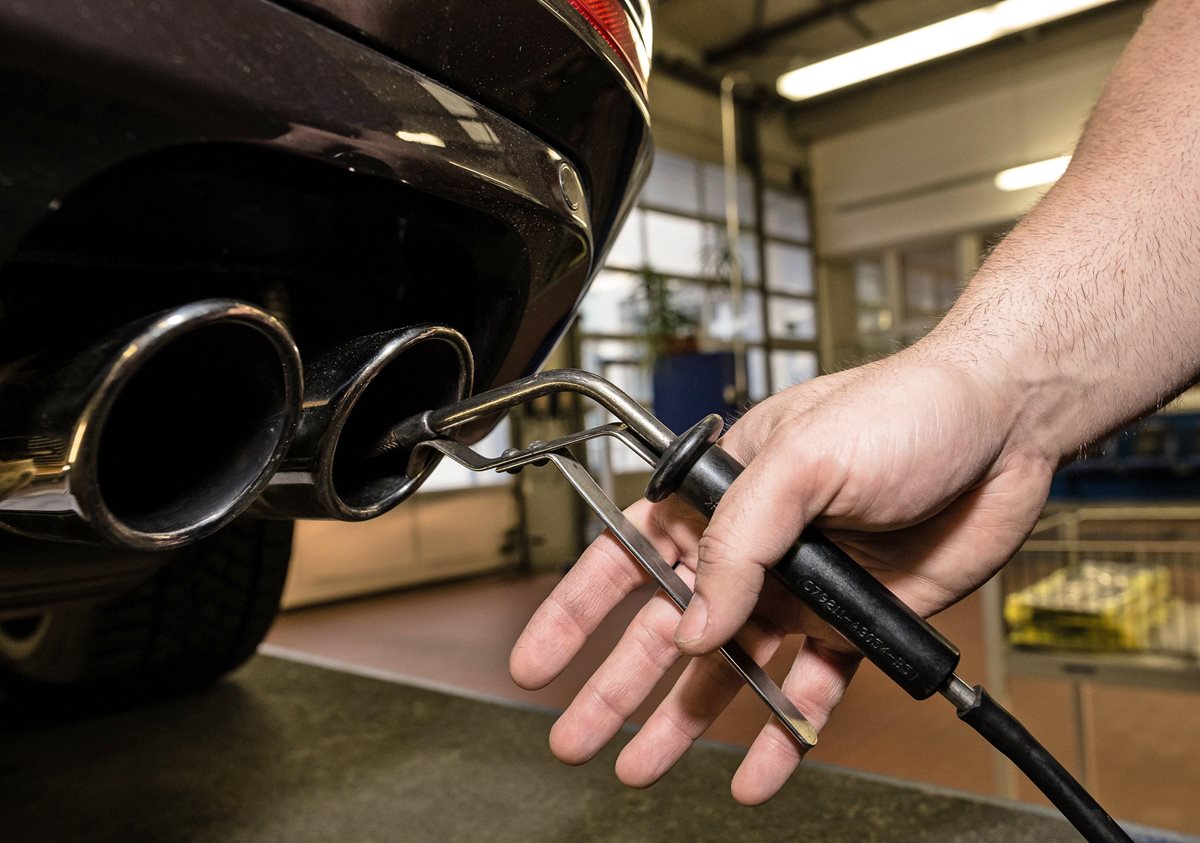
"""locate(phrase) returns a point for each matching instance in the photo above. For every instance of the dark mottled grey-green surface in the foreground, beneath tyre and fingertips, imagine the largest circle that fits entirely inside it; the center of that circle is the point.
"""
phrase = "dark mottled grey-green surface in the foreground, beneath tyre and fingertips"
(293, 752)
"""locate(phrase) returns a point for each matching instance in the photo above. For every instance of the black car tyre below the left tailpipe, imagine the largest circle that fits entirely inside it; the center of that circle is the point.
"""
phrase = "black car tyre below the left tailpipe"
(199, 617)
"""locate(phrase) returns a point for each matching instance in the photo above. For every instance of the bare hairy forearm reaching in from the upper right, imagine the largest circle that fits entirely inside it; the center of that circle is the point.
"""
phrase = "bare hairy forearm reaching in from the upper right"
(1089, 313)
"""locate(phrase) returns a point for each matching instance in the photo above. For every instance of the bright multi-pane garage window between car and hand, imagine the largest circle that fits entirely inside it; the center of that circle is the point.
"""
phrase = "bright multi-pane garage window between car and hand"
(677, 232)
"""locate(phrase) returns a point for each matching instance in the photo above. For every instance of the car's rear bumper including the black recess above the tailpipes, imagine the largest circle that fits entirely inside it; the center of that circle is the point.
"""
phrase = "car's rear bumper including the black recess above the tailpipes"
(243, 150)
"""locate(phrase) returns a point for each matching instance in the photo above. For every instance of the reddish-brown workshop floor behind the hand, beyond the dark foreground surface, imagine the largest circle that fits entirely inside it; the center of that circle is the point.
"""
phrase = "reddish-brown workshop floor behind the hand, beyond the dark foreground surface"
(459, 637)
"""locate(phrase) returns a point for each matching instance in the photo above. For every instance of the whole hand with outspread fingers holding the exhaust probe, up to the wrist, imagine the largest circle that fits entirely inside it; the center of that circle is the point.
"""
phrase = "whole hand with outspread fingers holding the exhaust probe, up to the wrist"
(913, 467)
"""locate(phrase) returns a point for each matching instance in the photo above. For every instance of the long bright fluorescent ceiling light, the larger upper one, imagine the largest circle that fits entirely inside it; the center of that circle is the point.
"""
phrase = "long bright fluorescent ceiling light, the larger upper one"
(926, 44)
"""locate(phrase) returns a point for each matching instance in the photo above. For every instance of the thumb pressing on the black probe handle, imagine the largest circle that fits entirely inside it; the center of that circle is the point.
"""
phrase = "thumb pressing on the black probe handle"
(757, 522)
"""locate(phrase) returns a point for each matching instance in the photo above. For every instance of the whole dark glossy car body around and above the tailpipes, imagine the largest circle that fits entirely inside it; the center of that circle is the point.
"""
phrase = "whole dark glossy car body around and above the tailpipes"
(349, 166)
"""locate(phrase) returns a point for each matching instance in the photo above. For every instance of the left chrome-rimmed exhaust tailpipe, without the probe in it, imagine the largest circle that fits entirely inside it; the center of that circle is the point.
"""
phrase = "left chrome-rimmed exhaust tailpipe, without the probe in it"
(158, 435)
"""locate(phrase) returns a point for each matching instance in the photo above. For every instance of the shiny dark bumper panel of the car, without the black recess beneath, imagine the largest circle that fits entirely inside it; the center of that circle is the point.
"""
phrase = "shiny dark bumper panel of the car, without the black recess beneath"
(94, 87)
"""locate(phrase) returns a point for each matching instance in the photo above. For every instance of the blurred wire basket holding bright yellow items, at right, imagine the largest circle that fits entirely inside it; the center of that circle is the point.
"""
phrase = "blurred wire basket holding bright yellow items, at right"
(1108, 581)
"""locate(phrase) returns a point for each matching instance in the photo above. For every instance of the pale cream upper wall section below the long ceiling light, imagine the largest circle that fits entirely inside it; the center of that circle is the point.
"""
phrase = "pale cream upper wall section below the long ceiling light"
(931, 172)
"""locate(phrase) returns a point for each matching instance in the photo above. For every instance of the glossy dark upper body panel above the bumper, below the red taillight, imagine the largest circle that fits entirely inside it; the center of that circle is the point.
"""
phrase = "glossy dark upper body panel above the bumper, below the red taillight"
(536, 62)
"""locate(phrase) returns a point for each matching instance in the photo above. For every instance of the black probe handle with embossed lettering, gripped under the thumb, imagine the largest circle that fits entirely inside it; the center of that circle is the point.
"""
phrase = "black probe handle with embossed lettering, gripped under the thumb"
(887, 632)
